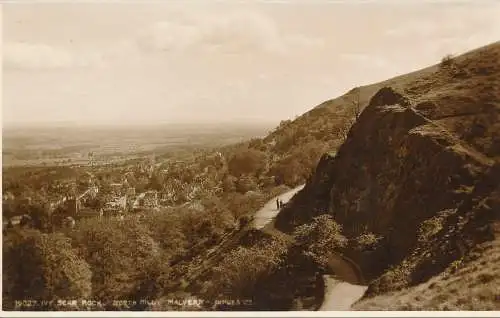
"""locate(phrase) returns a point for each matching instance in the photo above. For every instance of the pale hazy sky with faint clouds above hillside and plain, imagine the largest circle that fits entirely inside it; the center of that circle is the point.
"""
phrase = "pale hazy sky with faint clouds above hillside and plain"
(216, 61)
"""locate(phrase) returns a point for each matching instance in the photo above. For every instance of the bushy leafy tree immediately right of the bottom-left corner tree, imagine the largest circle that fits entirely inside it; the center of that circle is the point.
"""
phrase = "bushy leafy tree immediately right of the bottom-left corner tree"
(120, 254)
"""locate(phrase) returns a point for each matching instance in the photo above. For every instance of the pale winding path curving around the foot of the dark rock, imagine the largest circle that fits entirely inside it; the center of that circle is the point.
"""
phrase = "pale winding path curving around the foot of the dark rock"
(344, 288)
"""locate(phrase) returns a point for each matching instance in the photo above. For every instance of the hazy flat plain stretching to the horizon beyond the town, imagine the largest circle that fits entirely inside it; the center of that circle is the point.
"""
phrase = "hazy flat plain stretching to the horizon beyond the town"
(41, 146)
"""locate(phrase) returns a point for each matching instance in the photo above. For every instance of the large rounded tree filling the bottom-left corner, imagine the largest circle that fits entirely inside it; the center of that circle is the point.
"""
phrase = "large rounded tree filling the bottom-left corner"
(43, 267)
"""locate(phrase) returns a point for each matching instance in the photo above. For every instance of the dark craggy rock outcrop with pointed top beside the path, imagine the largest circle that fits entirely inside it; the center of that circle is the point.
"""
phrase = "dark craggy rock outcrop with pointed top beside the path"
(396, 170)
